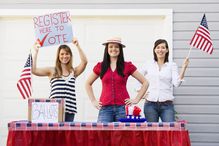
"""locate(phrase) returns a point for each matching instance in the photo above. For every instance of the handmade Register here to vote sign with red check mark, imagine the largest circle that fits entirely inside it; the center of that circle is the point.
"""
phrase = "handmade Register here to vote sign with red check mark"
(53, 29)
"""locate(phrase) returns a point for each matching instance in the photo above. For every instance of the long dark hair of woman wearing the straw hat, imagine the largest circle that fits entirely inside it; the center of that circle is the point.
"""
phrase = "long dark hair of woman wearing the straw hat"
(106, 62)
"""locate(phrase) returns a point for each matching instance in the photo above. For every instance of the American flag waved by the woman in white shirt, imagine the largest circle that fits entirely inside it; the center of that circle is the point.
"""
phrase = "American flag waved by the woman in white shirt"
(201, 38)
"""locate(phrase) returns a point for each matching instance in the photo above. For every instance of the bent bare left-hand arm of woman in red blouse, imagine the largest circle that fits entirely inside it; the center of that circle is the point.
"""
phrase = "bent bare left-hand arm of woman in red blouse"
(89, 89)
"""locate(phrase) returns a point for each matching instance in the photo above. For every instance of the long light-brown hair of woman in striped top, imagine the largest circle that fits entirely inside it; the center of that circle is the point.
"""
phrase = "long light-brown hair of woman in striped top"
(58, 69)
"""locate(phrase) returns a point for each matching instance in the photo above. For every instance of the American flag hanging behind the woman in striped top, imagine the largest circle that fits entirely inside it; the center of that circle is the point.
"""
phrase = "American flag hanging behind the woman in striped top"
(24, 83)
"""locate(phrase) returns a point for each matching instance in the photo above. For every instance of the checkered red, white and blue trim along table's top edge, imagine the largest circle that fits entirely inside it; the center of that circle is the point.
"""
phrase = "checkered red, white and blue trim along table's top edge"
(27, 125)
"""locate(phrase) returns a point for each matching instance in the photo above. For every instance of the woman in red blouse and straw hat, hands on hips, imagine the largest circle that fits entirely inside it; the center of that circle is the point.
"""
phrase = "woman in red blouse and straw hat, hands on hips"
(114, 72)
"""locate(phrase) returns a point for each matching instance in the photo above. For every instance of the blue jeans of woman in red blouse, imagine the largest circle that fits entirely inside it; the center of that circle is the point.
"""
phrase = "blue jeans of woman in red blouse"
(111, 113)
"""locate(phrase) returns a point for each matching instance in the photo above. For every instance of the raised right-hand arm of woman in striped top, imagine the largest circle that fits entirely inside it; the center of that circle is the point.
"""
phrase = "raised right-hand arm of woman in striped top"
(80, 68)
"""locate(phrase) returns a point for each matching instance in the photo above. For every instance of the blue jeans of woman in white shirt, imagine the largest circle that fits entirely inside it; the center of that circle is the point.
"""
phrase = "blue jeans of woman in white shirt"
(154, 110)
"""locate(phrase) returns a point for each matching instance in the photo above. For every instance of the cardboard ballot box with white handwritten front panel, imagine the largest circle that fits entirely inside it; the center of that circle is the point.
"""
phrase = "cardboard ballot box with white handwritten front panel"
(46, 110)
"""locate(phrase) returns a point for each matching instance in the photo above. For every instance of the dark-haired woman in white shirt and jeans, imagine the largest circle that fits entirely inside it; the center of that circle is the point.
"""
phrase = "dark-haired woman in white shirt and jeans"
(162, 76)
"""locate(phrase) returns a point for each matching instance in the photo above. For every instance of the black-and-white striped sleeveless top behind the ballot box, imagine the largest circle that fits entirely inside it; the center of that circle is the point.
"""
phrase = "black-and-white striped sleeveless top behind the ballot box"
(64, 87)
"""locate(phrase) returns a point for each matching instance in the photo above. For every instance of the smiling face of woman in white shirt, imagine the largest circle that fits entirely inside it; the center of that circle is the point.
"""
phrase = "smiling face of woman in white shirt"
(161, 51)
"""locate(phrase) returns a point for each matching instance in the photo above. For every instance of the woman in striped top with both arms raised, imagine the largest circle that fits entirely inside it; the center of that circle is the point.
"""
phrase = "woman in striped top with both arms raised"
(62, 76)
